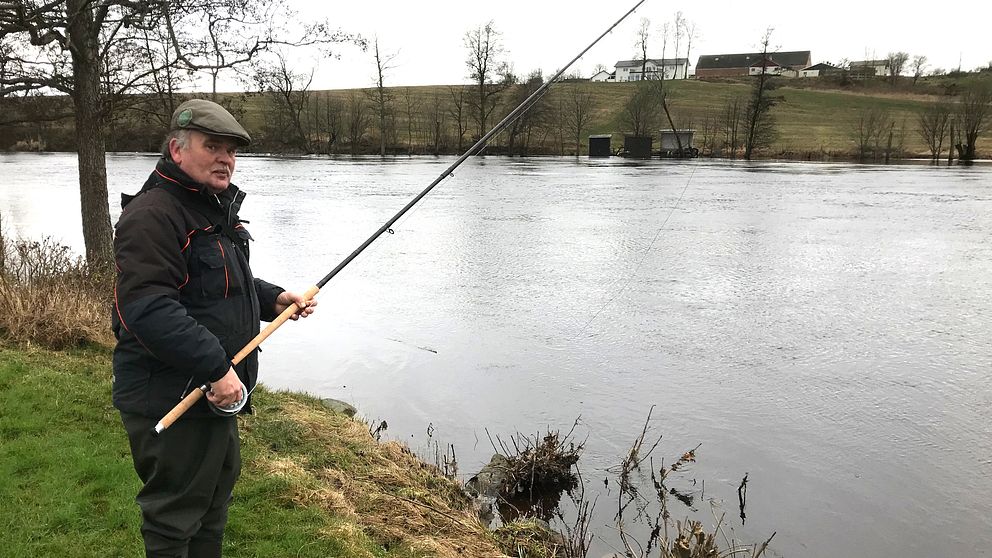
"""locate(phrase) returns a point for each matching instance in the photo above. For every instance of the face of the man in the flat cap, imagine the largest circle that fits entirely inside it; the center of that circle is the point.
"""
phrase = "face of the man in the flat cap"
(207, 159)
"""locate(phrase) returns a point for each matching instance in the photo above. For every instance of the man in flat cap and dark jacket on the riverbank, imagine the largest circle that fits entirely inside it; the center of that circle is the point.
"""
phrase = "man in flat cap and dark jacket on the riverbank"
(185, 303)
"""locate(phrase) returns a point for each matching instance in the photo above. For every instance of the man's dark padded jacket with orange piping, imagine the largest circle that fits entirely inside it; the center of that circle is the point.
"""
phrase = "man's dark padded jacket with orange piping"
(185, 301)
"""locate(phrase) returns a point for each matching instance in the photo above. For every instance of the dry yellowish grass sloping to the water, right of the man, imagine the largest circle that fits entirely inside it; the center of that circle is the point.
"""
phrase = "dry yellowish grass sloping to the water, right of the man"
(332, 462)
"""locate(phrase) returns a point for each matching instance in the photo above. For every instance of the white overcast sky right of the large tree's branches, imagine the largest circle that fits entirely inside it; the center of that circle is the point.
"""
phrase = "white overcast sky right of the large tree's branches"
(428, 36)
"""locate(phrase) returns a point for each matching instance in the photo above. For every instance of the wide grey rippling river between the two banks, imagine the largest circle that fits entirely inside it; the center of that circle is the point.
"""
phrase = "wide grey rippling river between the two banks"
(822, 328)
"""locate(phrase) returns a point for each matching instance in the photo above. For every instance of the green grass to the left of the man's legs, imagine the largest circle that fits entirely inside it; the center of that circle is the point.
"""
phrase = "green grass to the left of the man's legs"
(65, 468)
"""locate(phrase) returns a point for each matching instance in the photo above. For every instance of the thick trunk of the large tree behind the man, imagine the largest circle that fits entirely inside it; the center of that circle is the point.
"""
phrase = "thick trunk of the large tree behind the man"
(91, 147)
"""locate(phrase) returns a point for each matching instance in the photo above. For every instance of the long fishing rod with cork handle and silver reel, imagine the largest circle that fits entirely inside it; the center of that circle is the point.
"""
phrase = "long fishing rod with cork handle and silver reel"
(311, 292)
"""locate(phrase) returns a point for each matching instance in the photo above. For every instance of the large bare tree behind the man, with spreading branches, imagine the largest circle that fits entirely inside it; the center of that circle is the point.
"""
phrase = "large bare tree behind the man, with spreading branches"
(88, 50)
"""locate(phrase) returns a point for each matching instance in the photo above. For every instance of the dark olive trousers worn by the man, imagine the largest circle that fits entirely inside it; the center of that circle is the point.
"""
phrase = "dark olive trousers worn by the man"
(188, 473)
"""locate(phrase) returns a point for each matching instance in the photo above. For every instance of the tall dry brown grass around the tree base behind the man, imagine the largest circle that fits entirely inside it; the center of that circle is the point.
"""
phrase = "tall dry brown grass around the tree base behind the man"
(49, 298)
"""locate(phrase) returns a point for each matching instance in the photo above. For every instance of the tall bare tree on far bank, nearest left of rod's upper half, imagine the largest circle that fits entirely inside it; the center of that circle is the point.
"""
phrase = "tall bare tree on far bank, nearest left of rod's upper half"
(489, 72)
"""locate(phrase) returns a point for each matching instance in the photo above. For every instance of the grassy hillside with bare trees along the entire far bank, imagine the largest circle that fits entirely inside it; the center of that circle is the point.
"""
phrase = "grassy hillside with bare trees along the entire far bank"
(800, 123)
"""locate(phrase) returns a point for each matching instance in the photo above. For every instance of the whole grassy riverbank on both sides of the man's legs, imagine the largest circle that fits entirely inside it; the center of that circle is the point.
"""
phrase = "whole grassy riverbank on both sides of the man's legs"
(314, 483)
